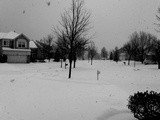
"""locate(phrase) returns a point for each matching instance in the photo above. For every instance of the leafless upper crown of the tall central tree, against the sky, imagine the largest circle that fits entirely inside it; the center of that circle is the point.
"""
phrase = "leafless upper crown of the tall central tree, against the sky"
(75, 22)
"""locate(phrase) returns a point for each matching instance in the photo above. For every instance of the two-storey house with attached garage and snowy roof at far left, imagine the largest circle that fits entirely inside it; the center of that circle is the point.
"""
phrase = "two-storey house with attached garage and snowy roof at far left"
(15, 47)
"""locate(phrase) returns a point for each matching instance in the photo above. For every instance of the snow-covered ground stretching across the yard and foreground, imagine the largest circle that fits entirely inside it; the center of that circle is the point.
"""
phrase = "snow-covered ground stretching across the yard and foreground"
(42, 91)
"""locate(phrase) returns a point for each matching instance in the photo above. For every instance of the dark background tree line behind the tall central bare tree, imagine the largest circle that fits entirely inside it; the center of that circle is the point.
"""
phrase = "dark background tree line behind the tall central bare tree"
(59, 48)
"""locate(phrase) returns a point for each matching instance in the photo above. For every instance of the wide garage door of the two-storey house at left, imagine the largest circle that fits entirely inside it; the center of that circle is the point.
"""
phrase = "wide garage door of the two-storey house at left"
(17, 59)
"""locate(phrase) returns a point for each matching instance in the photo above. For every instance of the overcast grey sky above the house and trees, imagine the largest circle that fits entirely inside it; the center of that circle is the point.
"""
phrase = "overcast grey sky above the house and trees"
(113, 20)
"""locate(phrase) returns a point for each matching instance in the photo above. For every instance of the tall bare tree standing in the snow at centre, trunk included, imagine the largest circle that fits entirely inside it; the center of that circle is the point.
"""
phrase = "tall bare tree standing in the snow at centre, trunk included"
(74, 25)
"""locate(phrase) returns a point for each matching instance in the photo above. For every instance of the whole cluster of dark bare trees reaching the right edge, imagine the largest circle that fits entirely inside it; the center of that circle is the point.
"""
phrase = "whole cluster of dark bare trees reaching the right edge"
(140, 45)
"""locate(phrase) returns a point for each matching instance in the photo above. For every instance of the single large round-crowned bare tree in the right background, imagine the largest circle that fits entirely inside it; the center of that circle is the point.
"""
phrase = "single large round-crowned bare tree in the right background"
(139, 46)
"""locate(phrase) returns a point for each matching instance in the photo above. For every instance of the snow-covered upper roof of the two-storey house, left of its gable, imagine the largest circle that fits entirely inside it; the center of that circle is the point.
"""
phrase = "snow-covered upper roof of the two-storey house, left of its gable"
(10, 35)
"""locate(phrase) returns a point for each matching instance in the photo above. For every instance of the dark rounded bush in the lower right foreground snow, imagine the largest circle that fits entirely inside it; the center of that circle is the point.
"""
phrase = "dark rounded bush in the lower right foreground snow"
(145, 105)
